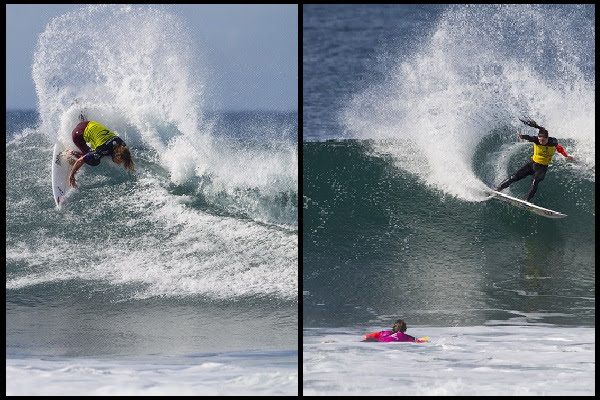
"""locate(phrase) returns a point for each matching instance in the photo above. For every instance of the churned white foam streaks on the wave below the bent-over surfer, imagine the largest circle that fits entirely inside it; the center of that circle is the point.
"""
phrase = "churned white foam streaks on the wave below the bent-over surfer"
(184, 252)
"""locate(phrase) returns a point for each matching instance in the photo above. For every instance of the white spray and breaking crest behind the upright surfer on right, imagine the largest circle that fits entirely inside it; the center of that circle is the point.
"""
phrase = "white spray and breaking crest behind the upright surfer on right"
(479, 69)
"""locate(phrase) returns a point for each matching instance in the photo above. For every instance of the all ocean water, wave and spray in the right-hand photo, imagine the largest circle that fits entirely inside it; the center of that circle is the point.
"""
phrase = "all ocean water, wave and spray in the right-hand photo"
(409, 113)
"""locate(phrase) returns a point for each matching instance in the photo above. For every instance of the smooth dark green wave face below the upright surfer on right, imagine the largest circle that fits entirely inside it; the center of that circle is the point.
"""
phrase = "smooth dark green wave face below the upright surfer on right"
(380, 244)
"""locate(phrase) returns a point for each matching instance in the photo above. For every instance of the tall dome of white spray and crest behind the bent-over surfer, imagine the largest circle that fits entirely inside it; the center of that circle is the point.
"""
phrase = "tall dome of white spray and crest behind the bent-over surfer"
(149, 85)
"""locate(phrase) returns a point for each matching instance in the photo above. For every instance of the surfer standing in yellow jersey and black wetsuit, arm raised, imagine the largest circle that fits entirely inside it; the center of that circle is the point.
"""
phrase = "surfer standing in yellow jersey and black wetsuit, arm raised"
(543, 150)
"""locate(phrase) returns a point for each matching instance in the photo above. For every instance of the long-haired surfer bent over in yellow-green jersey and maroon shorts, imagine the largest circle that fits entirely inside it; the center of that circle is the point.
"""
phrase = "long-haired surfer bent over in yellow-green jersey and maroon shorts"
(102, 141)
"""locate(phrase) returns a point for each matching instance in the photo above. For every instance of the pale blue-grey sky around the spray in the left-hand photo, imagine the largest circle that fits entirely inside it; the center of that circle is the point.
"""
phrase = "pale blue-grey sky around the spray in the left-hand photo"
(235, 38)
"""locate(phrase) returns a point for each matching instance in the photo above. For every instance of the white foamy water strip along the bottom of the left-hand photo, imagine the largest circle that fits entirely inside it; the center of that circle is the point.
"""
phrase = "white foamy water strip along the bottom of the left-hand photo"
(210, 375)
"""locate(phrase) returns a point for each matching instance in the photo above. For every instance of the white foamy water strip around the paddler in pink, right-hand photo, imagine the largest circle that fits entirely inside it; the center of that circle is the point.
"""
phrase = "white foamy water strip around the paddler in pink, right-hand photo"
(456, 361)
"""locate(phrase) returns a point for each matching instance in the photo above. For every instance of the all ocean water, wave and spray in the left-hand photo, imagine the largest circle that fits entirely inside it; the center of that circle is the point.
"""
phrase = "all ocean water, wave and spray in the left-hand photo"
(178, 279)
